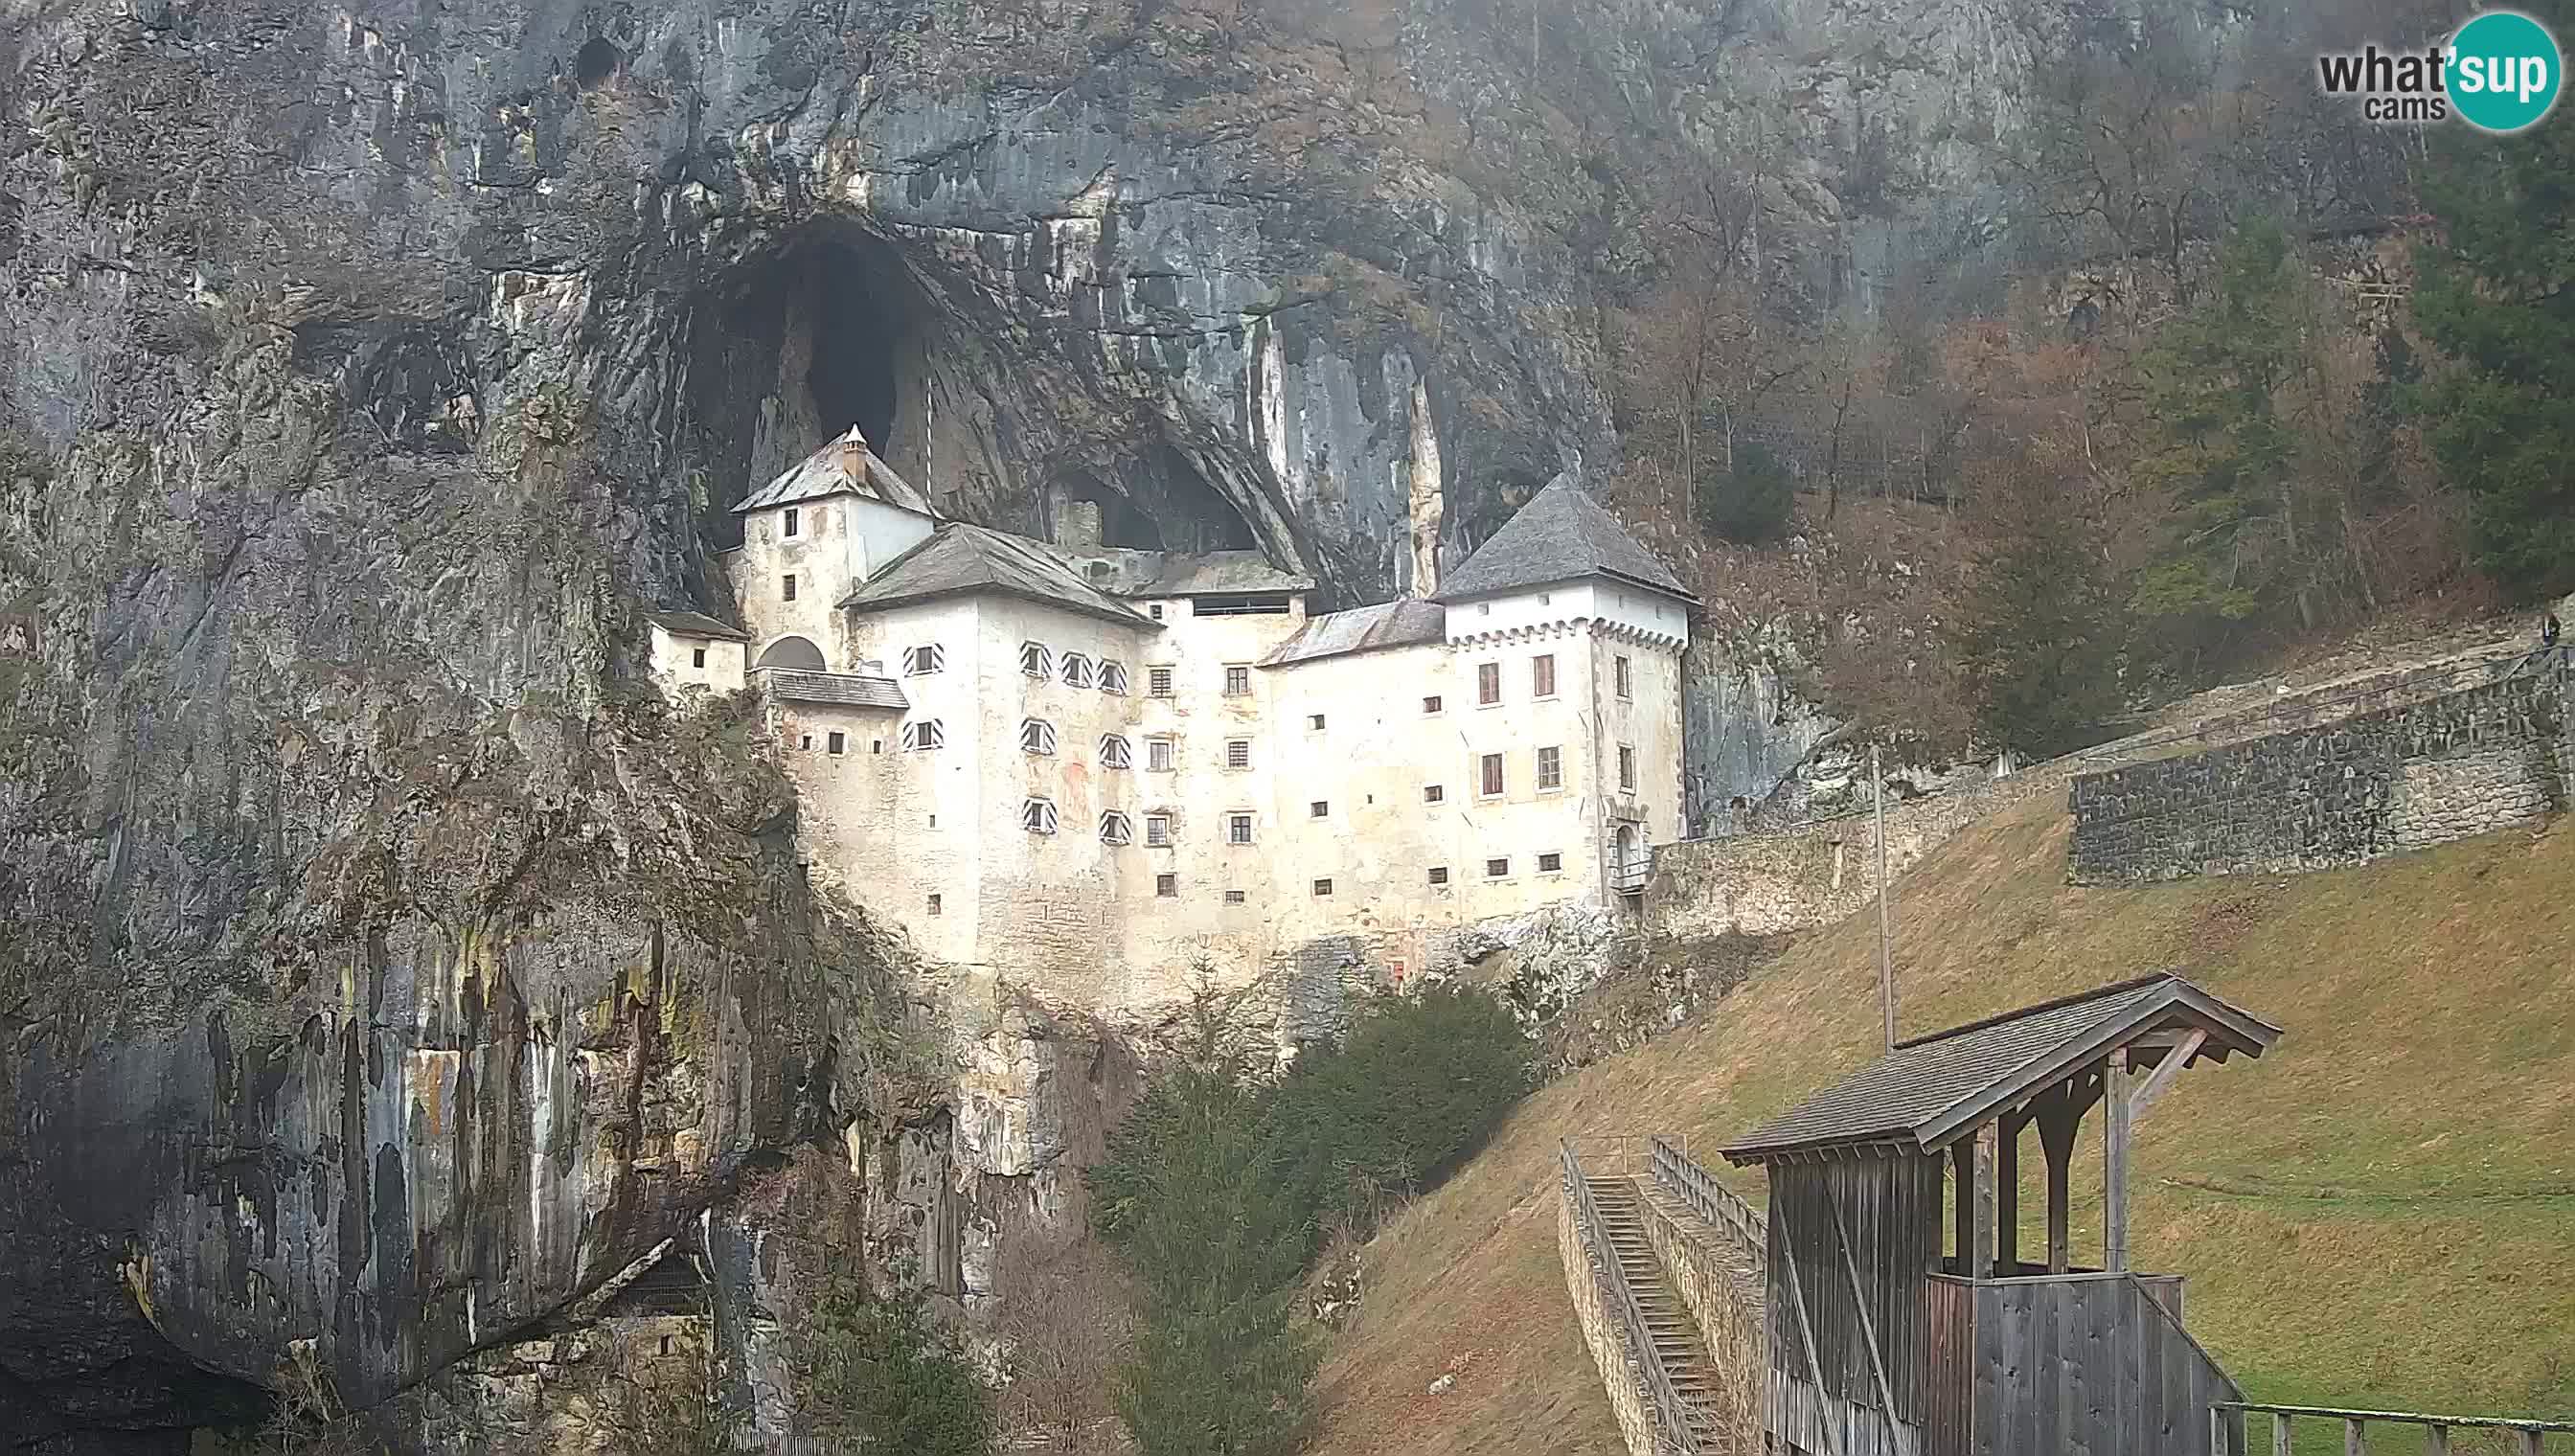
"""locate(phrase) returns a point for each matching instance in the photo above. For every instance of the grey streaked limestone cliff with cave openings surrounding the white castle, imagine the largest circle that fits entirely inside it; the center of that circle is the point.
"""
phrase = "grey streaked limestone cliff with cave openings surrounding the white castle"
(375, 973)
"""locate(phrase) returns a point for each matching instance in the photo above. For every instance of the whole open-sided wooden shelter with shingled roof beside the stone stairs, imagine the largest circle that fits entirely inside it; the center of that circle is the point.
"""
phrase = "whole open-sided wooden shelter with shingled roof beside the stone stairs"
(1886, 1344)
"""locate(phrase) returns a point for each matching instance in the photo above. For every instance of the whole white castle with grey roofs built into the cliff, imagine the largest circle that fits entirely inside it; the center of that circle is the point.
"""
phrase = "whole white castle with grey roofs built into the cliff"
(1098, 772)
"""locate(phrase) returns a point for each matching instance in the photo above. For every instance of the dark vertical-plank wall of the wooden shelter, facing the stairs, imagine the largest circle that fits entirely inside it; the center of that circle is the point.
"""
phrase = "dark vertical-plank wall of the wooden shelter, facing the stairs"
(1889, 1225)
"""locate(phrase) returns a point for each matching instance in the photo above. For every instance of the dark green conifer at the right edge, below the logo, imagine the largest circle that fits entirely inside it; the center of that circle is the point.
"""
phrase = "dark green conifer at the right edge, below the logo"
(2499, 292)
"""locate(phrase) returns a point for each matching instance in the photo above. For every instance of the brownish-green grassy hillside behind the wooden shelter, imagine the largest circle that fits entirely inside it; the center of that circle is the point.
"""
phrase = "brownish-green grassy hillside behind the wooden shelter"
(2375, 1215)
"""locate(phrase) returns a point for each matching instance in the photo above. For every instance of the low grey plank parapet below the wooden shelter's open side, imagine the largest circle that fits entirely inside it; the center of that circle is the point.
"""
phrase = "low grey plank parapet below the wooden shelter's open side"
(2087, 1367)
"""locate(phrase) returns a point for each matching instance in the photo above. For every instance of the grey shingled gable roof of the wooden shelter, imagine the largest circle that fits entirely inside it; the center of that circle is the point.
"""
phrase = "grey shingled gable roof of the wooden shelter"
(1935, 1089)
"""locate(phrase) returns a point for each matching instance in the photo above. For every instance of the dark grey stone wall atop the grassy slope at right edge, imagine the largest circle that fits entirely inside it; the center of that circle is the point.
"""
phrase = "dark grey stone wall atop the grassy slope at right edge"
(2466, 764)
